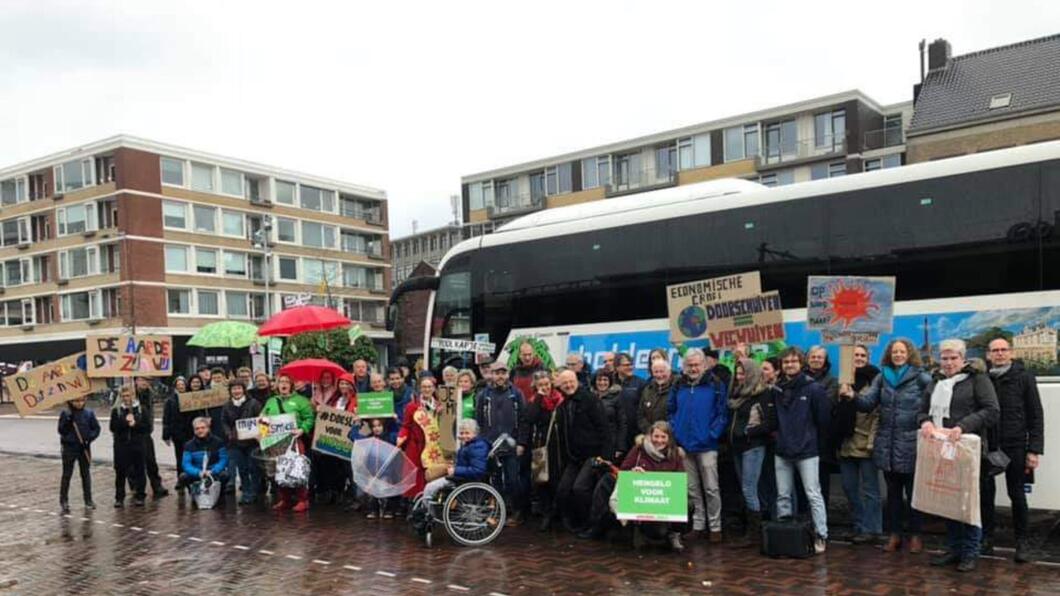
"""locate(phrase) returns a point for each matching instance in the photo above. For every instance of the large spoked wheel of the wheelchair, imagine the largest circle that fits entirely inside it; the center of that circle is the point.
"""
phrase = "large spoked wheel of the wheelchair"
(474, 515)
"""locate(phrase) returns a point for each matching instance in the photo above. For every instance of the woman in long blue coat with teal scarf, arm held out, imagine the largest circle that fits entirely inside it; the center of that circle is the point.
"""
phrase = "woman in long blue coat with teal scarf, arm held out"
(898, 392)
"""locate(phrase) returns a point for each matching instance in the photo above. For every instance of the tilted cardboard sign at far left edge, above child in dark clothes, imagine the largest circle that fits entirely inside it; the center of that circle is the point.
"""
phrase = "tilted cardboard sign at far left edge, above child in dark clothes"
(48, 385)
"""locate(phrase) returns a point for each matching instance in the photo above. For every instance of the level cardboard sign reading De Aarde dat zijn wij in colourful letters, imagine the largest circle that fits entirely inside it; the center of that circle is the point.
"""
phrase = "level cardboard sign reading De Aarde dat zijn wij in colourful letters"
(130, 356)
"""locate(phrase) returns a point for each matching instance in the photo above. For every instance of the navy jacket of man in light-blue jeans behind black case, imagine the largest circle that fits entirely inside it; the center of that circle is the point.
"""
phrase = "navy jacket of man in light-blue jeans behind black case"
(801, 410)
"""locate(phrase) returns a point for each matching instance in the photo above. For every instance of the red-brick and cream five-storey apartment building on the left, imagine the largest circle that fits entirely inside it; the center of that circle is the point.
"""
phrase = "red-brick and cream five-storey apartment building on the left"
(130, 234)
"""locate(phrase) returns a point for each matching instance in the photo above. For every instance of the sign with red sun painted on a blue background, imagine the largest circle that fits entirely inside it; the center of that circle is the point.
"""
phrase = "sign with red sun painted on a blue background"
(851, 305)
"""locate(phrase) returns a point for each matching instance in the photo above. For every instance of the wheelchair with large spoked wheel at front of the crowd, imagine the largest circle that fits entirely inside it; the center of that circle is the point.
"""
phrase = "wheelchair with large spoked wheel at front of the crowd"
(473, 514)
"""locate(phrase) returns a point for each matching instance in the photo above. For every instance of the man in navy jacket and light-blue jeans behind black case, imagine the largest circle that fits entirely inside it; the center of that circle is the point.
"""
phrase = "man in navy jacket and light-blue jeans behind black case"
(802, 410)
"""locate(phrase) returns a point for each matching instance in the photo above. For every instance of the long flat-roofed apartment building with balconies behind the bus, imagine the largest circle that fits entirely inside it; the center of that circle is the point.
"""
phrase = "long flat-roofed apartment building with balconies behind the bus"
(818, 138)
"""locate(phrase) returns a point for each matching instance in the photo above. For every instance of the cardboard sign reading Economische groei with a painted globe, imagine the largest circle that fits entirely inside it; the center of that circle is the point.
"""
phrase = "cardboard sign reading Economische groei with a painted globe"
(686, 303)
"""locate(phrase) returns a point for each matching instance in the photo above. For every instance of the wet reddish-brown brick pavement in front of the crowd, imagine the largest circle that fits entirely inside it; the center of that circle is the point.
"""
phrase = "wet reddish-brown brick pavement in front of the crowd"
(169, 549)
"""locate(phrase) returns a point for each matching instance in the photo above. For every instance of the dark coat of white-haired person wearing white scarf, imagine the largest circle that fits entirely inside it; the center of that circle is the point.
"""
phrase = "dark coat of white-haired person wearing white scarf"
(974, 407)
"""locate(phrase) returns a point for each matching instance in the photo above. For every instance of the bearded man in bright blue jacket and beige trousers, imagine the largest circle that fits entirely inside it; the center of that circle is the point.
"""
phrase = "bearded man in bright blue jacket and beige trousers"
(699, 416)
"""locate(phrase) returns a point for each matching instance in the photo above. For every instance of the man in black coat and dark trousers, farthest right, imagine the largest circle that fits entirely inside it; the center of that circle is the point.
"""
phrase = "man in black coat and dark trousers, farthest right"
(1021, 435)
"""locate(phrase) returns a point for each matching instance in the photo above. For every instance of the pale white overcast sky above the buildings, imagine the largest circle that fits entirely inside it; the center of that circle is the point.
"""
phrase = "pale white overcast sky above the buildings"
(410, 97)
